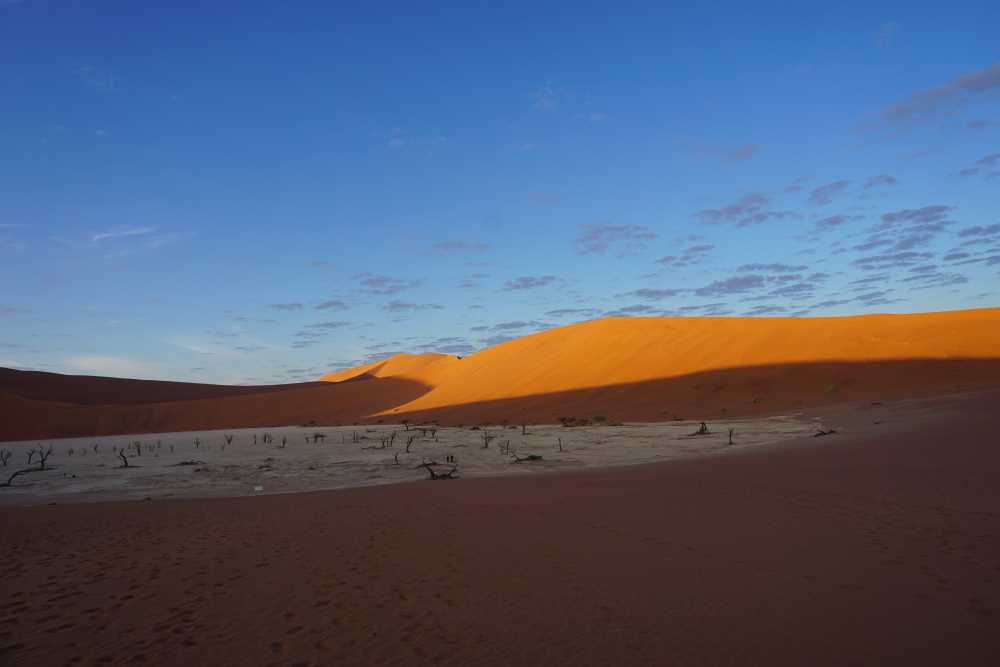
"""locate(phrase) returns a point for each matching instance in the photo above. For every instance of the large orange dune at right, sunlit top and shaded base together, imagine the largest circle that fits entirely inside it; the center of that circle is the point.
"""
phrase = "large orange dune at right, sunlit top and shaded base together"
(618, 357)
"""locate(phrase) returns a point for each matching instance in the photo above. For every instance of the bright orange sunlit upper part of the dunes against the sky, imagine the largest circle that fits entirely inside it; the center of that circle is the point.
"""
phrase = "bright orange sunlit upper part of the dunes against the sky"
(623, 351)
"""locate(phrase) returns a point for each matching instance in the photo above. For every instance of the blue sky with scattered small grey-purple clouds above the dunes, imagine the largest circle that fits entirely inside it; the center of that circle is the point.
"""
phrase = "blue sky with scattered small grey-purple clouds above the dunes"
(234, 192)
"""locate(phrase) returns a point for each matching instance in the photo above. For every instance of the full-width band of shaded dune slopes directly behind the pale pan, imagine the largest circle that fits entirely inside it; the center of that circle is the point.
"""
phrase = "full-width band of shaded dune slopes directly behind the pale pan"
(724, 392)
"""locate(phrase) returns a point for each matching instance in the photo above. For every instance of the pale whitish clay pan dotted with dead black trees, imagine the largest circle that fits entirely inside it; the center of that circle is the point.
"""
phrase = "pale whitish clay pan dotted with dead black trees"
(211, 464)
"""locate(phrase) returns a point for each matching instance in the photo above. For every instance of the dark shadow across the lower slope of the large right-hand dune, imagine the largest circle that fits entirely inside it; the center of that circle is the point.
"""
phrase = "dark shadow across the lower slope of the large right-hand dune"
(733, 392)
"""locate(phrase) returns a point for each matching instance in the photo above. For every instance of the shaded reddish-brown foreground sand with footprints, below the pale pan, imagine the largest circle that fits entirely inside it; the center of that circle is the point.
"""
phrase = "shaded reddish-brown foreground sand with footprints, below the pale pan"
(877, 545)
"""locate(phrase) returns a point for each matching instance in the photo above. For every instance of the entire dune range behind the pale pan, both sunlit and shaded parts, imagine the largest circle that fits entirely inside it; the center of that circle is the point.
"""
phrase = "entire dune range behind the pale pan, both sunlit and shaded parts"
(620, 368)
